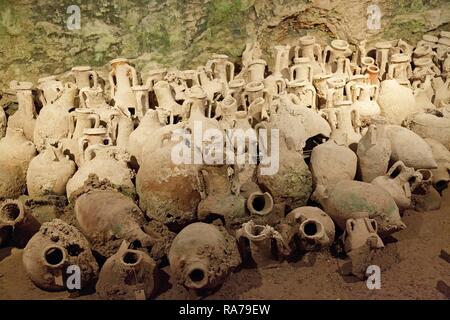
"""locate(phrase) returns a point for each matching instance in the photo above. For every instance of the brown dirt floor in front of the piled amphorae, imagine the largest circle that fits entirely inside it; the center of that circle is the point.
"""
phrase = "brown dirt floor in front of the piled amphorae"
(411, 269)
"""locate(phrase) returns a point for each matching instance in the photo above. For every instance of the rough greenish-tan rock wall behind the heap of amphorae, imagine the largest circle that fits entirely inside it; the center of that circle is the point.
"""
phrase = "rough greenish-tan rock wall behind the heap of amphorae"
(35, 40)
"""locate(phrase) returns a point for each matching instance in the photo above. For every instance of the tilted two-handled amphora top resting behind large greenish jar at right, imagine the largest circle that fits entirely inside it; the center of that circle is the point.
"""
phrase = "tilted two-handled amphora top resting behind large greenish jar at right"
(396, 182)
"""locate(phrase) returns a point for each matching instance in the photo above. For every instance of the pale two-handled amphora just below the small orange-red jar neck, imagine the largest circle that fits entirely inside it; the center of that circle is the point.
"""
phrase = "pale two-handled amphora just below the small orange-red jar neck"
(365, 99)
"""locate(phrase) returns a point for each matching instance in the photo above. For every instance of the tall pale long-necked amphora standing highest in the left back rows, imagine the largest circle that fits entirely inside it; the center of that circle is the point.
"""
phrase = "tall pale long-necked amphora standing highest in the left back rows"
(121, 78)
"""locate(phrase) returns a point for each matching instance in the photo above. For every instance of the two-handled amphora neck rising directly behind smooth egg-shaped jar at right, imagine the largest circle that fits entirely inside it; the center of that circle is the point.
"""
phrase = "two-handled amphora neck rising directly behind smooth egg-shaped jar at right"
(345, 123)
